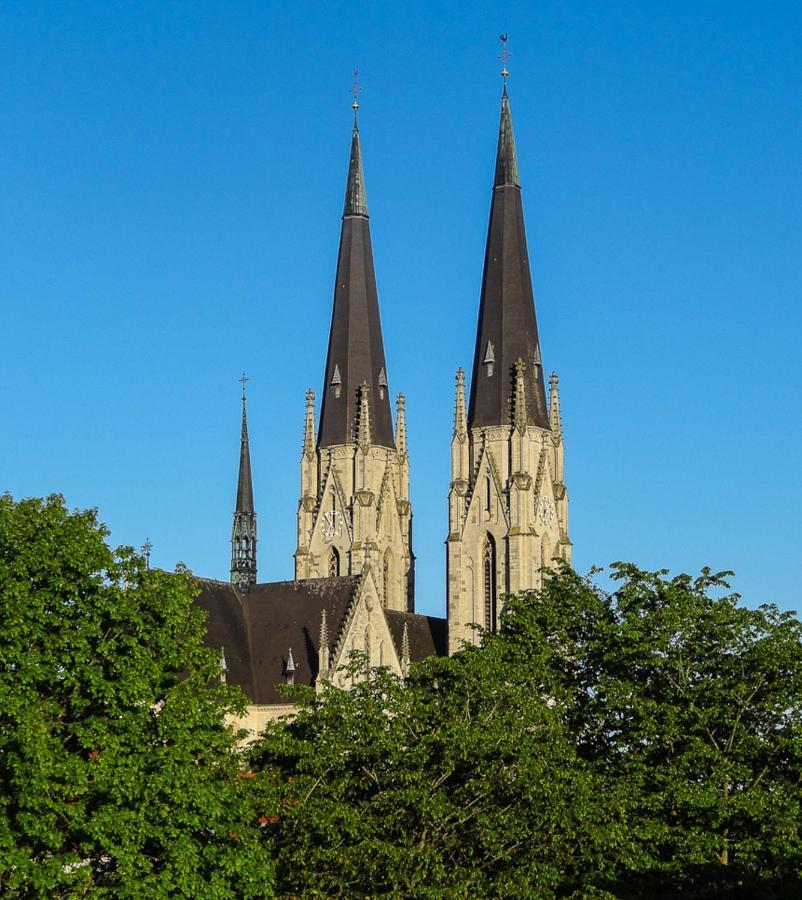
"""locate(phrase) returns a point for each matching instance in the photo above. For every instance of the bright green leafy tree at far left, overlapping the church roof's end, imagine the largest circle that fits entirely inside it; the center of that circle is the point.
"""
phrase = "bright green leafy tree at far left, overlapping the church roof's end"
(117, 772)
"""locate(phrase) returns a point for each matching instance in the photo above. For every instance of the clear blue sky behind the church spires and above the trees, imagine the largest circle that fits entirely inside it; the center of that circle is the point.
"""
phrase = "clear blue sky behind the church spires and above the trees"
(172, 180)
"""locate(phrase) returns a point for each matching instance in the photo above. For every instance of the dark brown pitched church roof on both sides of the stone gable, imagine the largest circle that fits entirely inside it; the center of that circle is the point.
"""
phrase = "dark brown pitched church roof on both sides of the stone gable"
(257, 628)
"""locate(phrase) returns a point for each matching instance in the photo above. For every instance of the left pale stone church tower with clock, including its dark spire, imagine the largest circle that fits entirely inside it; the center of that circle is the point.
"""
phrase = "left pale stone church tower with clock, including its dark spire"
(354, 510)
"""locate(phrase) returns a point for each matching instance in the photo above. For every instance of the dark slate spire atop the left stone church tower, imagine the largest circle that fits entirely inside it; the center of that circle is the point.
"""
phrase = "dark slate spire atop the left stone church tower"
(356, 349)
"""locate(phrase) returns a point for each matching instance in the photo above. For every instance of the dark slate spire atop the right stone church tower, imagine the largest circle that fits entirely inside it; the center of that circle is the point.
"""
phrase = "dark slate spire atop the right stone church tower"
(507, 328)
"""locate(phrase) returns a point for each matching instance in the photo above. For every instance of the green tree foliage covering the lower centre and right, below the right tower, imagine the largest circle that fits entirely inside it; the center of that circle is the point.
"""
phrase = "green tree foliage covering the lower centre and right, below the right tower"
(640, 743)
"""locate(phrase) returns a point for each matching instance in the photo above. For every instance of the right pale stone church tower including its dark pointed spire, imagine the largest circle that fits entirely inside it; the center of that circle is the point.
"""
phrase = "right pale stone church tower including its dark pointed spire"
(508, 504)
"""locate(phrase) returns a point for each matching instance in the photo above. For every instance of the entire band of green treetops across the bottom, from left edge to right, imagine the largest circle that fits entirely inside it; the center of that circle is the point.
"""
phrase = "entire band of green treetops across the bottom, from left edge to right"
(643, 741)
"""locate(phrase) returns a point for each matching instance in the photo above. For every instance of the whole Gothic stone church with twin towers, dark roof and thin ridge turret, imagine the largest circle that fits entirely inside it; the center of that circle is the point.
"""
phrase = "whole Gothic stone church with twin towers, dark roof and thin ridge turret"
(354, 586)
